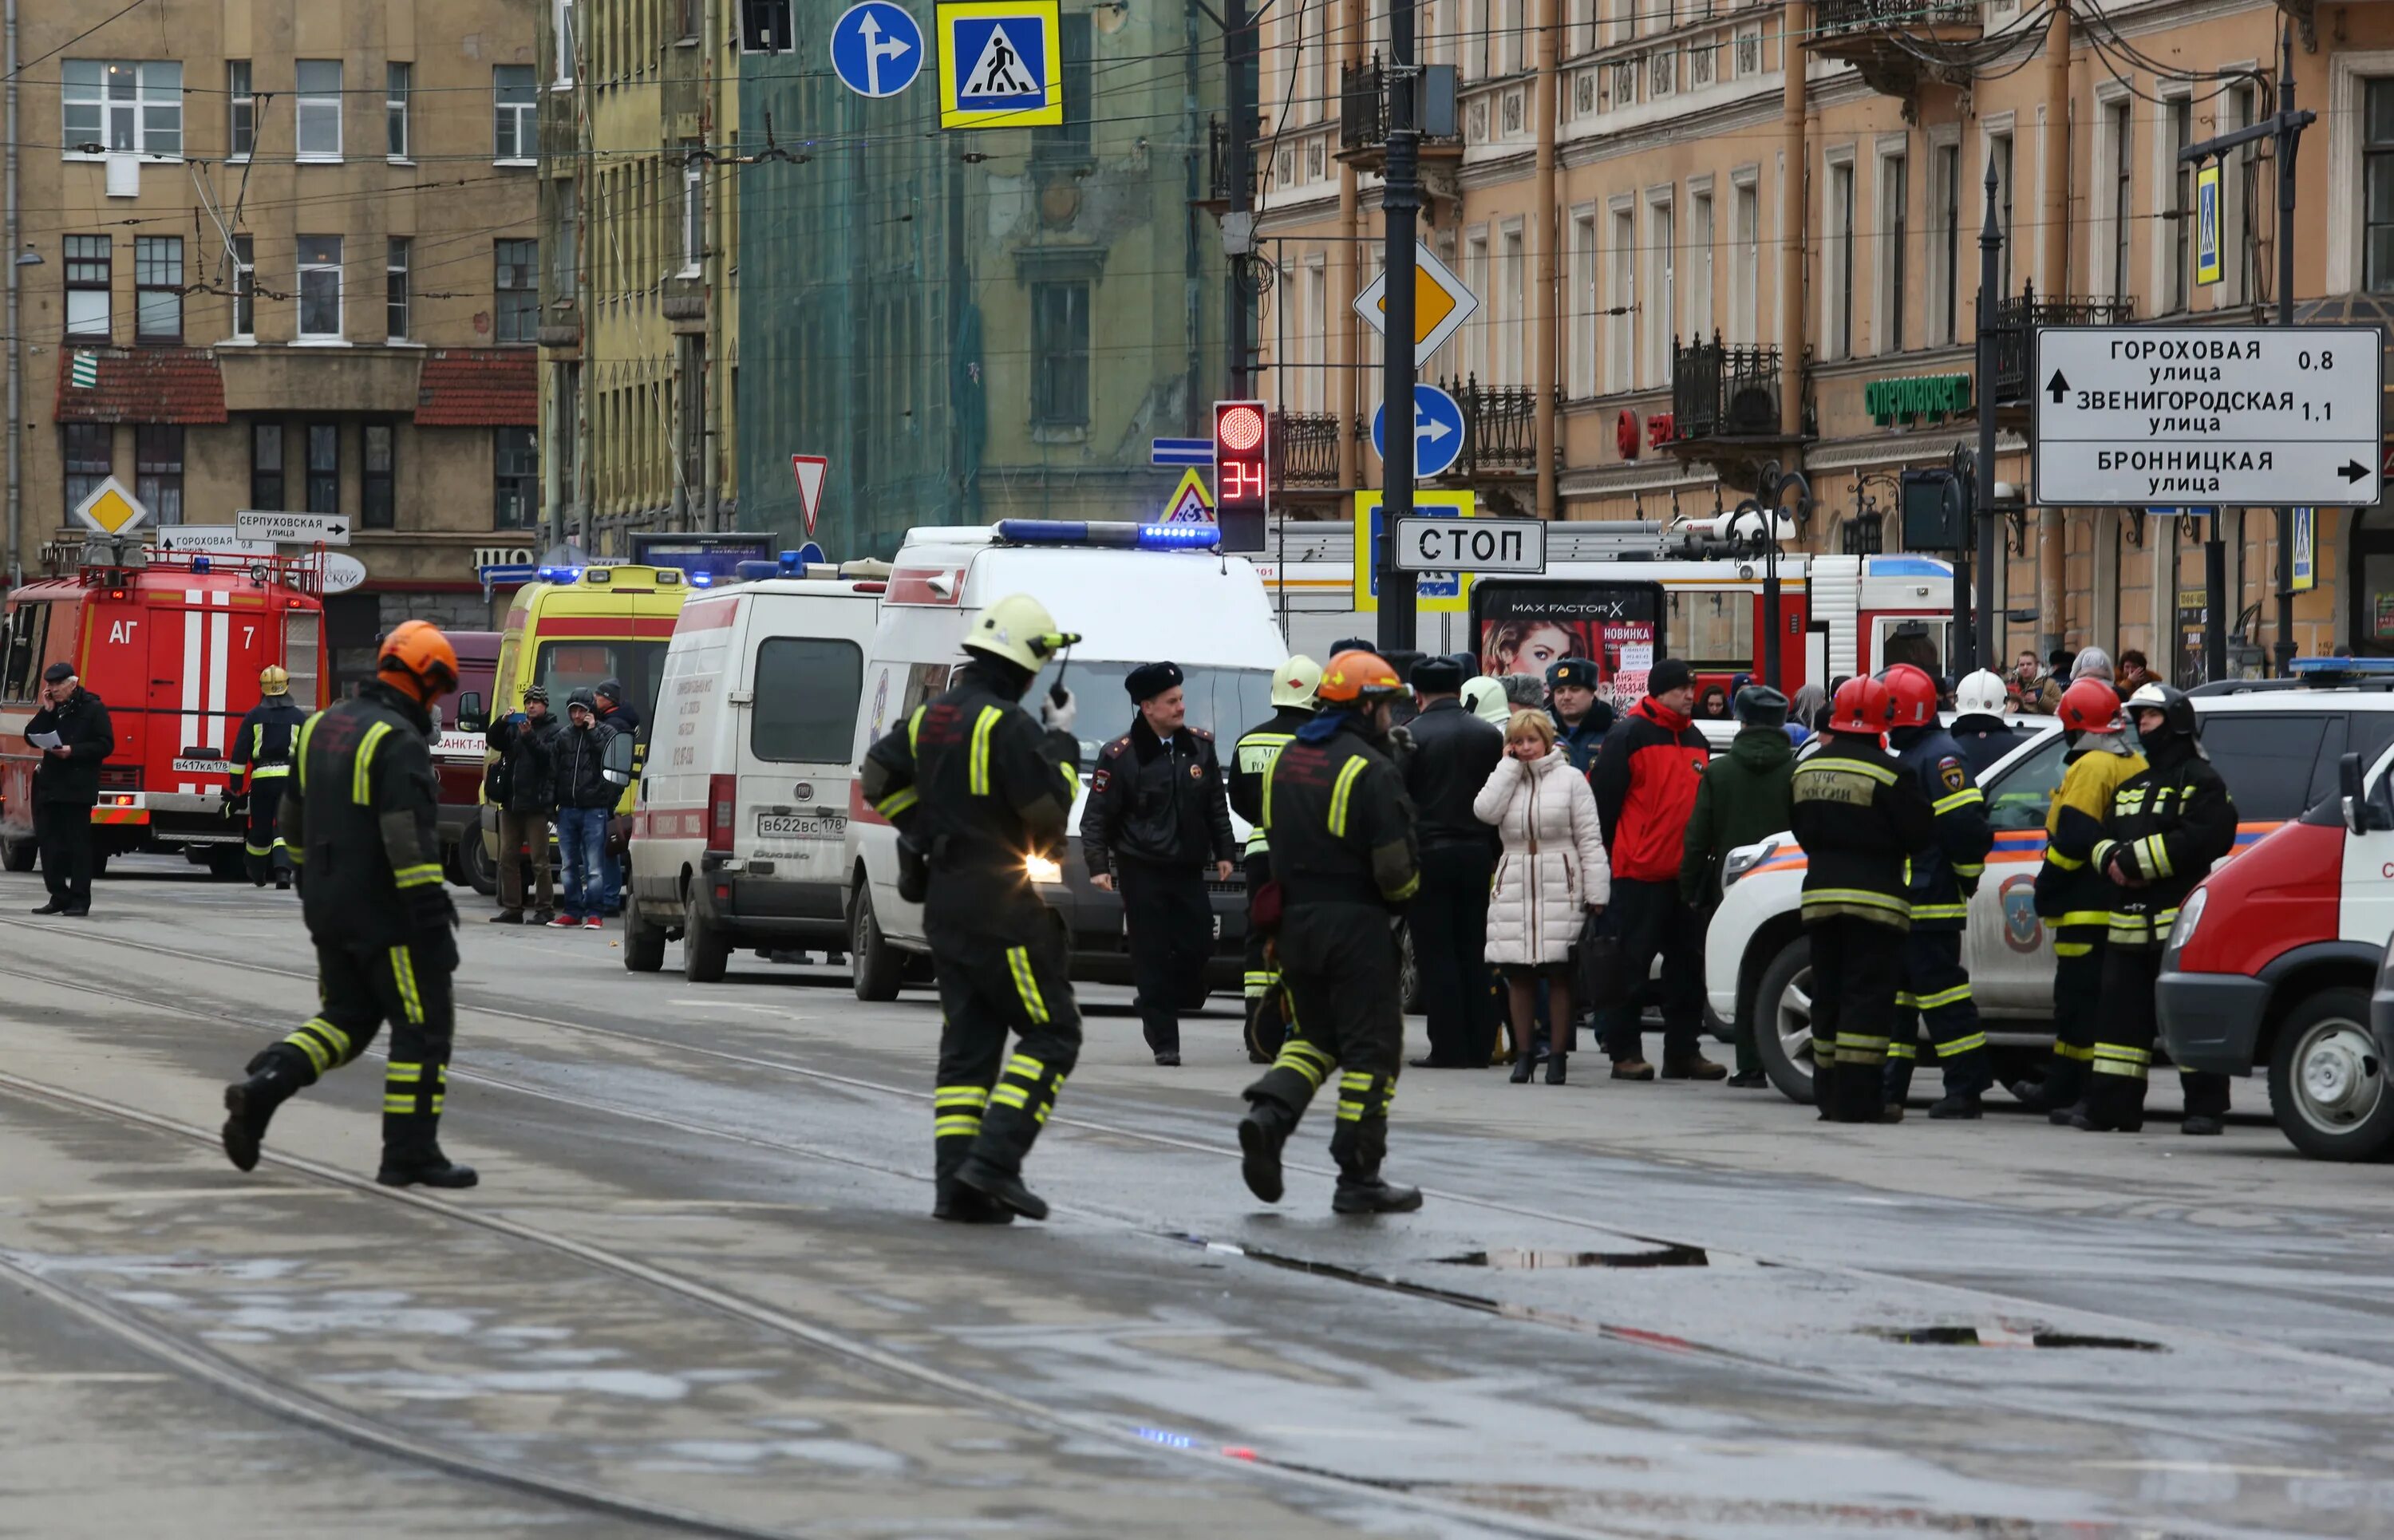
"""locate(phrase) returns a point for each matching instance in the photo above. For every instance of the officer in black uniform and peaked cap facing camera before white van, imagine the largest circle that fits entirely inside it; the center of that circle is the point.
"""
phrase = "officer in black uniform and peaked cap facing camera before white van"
(1157, 818)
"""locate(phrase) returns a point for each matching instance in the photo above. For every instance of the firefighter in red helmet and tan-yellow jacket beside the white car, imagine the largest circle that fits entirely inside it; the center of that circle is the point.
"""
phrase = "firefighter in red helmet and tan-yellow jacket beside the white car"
(2074, 897)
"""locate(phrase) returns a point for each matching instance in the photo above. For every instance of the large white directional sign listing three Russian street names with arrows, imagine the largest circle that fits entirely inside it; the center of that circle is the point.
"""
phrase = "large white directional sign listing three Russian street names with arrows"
(2254, 416)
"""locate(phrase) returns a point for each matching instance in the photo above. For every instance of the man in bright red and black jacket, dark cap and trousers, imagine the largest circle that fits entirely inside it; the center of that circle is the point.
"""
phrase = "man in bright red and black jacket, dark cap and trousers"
(1646, 792)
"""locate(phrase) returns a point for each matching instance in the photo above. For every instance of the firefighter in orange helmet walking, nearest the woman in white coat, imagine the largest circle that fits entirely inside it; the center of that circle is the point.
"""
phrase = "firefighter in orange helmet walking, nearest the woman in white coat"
(1344, 868)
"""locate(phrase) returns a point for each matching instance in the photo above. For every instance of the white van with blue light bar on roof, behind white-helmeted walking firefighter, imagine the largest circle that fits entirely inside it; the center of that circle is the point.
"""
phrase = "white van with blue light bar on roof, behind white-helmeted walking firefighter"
(1136, 595)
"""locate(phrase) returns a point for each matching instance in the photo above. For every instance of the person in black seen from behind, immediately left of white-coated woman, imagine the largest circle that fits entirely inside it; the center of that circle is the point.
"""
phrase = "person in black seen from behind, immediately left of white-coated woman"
(1454, 756)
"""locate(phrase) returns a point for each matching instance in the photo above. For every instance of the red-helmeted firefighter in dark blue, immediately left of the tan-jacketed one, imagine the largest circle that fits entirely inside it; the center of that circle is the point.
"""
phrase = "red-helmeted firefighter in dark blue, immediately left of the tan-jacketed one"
(1945, 880)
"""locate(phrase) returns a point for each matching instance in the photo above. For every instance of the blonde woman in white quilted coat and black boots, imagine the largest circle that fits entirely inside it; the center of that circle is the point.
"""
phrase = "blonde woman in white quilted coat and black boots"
(1550, 878)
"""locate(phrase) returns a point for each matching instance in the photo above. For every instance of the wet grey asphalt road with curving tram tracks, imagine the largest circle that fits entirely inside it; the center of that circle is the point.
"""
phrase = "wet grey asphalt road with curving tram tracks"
(698, 1290)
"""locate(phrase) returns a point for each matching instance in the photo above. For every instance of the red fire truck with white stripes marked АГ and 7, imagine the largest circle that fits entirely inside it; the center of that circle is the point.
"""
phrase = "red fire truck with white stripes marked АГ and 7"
(174, 645)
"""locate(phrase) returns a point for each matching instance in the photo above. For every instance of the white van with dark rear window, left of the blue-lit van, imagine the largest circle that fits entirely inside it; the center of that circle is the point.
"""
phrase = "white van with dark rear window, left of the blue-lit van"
(741, 820)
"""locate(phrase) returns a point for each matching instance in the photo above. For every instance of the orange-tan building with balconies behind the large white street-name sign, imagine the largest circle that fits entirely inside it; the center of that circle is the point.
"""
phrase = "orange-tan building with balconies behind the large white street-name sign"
(1713, 236)
